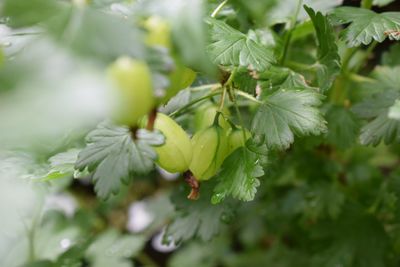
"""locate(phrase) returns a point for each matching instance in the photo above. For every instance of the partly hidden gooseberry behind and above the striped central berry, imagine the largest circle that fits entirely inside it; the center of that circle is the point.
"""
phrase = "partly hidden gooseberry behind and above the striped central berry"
(205, 114)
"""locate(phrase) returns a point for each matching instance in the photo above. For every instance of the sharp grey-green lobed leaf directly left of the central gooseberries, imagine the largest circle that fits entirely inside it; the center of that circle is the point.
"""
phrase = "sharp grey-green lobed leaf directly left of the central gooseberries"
(114, 157)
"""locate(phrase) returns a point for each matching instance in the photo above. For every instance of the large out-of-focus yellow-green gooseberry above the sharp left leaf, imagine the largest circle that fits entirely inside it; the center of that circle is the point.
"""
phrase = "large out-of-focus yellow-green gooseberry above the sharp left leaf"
(132, 97)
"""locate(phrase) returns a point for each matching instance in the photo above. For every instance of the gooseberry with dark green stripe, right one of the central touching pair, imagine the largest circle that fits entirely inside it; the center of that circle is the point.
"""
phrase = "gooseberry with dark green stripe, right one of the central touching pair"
(210, 148)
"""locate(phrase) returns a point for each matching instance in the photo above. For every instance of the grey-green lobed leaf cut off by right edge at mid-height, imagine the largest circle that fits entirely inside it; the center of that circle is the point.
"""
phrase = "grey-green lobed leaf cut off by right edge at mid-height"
(376, 109)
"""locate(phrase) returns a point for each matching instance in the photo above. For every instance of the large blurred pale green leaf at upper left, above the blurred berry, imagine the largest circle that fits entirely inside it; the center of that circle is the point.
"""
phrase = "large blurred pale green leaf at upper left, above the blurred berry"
(96, 34)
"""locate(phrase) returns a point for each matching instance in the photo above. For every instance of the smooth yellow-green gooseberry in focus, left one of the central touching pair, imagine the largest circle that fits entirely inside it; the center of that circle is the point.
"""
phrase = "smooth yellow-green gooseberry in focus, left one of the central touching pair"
(175, 154)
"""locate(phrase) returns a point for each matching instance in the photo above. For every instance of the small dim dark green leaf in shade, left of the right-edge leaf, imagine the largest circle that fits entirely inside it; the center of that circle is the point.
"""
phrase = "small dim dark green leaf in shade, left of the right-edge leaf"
(342, 127)
